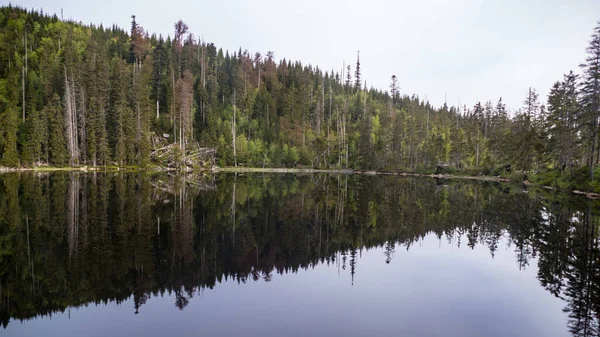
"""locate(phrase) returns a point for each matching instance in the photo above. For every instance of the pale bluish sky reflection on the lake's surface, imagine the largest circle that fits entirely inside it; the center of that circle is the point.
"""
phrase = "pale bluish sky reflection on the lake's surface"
(433, 289)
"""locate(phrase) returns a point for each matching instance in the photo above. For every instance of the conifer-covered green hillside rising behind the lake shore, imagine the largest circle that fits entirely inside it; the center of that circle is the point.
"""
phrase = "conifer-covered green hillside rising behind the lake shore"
(72, 95)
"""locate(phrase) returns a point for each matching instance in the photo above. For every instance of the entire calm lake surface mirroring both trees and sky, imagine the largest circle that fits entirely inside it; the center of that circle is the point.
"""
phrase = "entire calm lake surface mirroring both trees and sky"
(293, 255)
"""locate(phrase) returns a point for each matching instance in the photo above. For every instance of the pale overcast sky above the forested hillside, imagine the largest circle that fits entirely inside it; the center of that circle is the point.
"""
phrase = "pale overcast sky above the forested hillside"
(465, 50)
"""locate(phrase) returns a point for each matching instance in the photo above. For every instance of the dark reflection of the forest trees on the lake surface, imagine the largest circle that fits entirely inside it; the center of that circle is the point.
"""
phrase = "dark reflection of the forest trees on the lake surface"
(67, 240)
